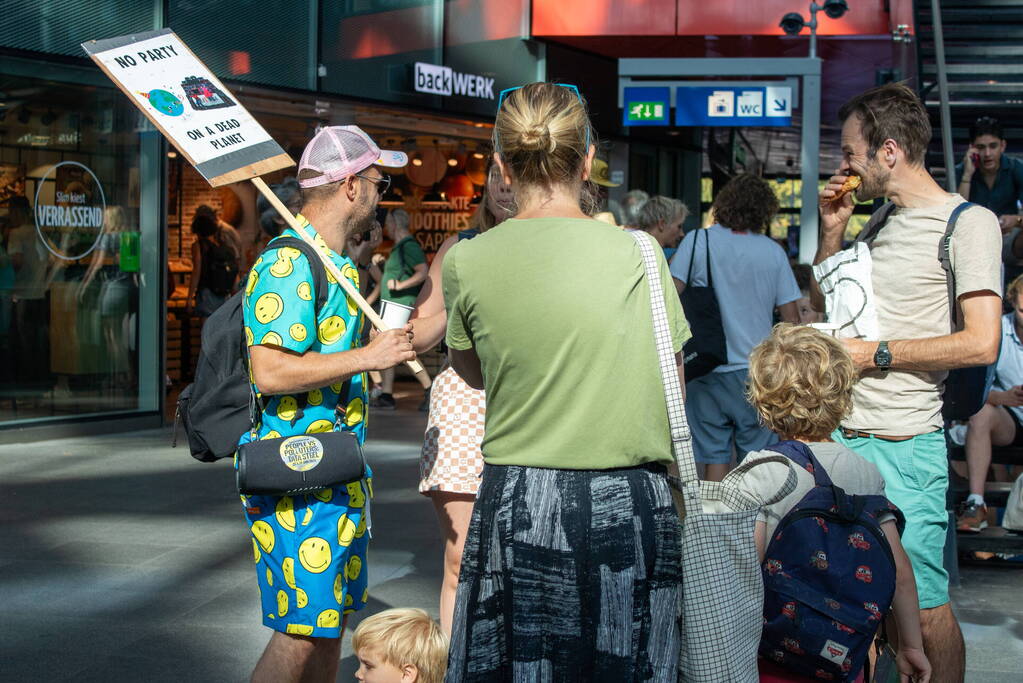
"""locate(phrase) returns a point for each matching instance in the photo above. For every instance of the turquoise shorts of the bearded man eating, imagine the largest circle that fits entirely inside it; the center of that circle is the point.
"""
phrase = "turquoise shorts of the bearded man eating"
(916, 474)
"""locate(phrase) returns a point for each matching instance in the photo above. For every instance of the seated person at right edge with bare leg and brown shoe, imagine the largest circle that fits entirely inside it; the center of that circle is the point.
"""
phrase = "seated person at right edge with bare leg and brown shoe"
(1000, 423)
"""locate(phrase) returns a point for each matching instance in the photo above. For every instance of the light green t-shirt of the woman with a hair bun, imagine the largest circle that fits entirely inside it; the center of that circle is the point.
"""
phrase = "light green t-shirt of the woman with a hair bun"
(559, 312)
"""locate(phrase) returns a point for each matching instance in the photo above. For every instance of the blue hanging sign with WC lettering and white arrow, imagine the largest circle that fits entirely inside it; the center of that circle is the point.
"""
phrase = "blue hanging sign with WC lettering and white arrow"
(727, 106)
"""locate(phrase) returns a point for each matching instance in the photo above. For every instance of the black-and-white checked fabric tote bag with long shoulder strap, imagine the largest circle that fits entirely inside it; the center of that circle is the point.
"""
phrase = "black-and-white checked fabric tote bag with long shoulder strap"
(723, 588)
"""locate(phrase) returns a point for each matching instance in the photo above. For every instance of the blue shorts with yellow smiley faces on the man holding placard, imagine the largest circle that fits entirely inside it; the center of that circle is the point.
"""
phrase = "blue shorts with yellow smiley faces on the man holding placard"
(310, 555)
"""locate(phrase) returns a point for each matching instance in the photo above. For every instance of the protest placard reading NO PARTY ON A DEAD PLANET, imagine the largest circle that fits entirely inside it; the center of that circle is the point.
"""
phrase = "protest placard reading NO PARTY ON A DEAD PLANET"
(183, 99)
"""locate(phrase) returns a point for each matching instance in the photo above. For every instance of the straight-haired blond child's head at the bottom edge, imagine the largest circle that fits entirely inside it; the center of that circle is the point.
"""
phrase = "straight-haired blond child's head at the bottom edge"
(402, 646)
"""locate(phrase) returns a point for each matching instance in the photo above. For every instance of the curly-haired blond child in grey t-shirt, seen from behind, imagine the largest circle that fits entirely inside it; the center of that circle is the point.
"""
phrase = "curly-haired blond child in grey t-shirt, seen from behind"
(802, 386)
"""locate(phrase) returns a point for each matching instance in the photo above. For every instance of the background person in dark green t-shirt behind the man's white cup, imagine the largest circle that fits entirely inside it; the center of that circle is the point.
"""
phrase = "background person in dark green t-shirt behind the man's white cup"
(405, 272)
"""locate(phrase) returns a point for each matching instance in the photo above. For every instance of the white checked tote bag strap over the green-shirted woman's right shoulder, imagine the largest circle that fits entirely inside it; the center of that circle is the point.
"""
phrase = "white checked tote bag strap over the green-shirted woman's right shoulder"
(682, 438)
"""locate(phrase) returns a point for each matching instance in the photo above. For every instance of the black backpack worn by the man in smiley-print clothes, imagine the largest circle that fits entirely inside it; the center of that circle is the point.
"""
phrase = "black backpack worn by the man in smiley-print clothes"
(219, 406)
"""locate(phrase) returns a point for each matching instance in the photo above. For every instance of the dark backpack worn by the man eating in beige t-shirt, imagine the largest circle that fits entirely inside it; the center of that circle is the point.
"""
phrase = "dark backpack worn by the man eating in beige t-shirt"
(966, 389)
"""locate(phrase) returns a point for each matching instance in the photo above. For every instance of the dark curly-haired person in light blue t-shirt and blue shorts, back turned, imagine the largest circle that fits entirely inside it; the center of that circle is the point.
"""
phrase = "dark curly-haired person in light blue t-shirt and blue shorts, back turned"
(751, 278)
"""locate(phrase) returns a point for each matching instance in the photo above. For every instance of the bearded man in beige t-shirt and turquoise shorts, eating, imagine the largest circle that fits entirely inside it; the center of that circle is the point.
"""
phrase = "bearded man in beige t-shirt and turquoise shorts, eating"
(897, 420)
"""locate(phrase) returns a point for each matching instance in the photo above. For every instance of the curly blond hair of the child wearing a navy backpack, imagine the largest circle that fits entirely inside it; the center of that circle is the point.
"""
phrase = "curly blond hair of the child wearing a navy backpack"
(802, 383)
